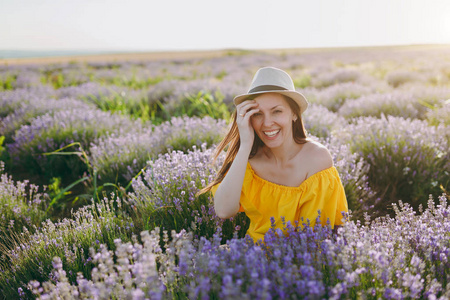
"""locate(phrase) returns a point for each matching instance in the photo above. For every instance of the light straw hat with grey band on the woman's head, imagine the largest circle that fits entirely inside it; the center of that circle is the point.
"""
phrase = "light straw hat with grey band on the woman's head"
(273, 80)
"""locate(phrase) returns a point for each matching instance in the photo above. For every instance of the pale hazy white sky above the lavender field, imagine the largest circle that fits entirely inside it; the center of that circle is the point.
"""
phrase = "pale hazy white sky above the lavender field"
(148, 25)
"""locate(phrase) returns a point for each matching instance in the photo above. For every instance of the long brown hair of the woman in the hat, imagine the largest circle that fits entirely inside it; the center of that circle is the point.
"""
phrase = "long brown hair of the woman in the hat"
(232, 140)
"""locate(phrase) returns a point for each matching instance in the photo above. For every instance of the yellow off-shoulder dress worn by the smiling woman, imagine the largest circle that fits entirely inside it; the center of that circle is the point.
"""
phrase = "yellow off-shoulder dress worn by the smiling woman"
(262, 199)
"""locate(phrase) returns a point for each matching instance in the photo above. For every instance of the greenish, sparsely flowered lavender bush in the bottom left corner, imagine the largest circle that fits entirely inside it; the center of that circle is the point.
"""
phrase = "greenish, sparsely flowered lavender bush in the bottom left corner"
(30, 256)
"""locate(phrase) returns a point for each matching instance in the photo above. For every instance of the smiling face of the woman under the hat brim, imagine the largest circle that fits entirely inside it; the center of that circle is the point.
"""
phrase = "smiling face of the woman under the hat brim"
(273, 122)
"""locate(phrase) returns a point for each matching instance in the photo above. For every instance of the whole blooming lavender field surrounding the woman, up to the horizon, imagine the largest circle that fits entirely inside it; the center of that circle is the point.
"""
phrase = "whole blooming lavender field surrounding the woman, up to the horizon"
(100, 164)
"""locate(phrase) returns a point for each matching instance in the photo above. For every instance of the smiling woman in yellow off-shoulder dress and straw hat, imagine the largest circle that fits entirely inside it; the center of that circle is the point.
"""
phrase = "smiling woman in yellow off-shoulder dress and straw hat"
(271, 169)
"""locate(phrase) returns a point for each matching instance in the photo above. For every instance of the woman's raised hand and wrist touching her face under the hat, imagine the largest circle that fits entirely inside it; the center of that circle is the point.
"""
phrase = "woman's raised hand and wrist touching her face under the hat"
(244, 111)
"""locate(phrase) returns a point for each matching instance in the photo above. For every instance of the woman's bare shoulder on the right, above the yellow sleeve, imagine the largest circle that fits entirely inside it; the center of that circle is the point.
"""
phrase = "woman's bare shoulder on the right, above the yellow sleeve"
(316, 157)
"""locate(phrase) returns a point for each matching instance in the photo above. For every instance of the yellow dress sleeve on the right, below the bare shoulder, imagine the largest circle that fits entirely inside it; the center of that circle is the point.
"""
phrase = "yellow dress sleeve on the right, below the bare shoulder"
(324, 193)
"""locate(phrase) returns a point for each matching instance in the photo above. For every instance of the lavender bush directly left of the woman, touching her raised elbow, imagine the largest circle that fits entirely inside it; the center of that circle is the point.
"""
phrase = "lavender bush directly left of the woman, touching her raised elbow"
(164, 196)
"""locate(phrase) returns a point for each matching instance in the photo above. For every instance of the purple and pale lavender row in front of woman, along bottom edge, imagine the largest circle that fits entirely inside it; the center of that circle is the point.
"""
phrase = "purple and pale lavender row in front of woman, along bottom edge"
(386, 259)
